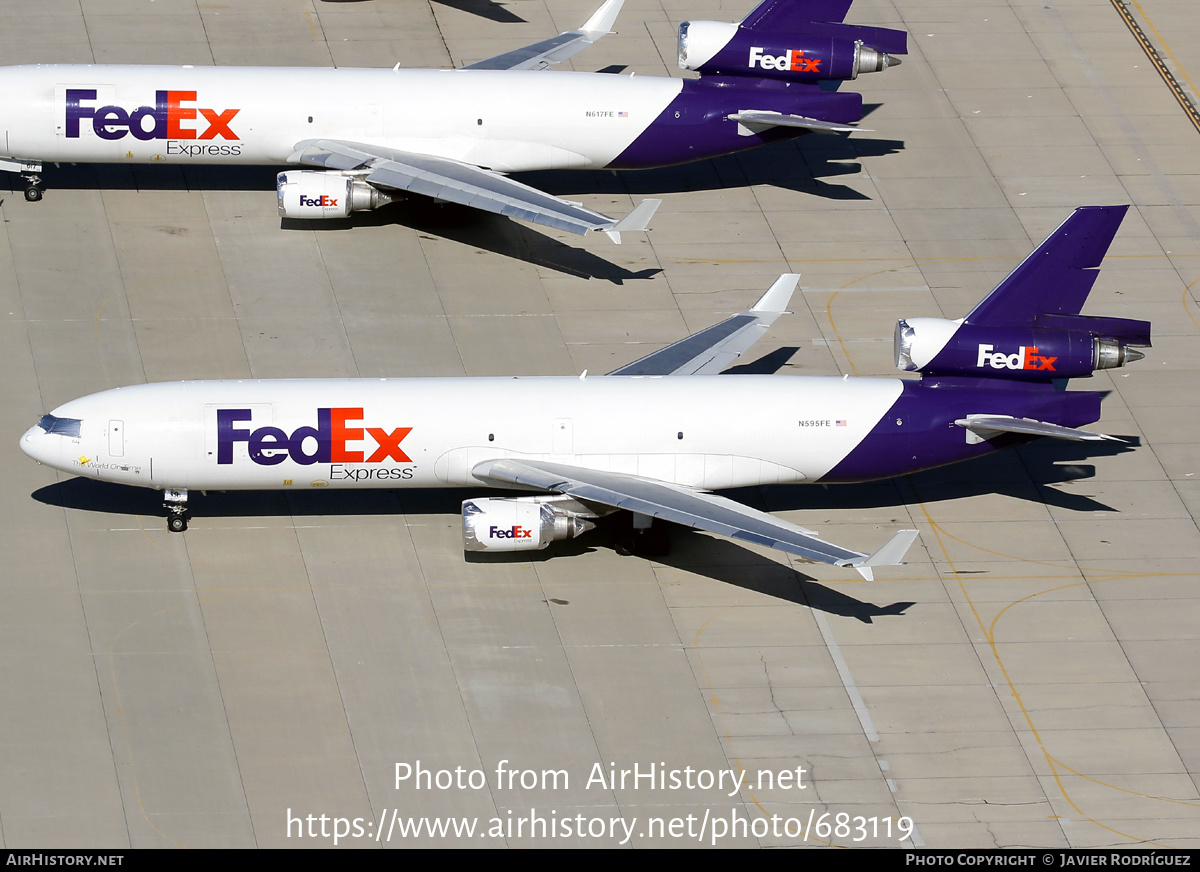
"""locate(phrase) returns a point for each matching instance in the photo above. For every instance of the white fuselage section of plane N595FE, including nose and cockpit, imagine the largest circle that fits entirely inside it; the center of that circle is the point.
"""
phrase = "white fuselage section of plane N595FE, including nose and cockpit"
(704, 432)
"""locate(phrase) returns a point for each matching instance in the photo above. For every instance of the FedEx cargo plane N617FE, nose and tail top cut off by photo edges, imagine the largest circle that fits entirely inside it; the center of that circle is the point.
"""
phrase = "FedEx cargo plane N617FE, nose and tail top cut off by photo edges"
(361, 139)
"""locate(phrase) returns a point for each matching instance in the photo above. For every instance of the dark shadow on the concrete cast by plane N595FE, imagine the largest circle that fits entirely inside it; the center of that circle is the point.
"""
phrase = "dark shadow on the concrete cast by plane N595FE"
(1028, 473)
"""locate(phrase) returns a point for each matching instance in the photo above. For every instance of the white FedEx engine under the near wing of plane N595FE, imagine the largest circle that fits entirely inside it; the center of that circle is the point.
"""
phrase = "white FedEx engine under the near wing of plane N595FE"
(519, 524)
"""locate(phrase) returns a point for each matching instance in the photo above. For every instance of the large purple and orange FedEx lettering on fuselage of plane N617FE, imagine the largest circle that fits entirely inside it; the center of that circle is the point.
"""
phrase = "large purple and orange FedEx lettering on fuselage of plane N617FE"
(170, 118)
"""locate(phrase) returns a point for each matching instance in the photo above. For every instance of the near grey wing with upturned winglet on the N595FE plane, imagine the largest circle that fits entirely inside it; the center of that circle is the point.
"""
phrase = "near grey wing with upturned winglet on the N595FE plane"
(695, 509)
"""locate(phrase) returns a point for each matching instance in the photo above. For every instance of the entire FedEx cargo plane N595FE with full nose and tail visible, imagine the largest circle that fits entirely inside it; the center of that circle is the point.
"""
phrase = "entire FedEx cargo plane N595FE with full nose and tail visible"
(655, 438)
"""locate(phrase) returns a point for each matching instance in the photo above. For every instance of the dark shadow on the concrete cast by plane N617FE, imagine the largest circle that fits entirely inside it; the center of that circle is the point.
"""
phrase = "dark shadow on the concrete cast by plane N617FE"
(797, 166)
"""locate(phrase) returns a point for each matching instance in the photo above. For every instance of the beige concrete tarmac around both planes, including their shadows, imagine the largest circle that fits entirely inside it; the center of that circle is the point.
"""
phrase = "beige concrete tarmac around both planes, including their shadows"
(1031, 678)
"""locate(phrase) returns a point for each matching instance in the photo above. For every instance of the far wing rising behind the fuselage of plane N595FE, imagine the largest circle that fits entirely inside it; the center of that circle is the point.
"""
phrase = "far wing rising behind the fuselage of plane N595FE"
(713, 350)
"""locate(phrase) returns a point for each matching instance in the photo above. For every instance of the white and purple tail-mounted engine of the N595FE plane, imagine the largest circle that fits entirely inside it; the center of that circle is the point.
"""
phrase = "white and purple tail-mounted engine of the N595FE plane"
(1077, 350)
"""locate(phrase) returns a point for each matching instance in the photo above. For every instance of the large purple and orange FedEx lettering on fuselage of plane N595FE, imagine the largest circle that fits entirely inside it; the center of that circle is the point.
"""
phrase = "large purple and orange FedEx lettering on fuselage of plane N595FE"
(333, 441)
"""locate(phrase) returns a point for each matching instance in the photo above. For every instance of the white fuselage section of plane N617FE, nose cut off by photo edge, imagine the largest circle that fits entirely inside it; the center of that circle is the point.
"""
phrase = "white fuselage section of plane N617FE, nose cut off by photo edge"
(503, 121)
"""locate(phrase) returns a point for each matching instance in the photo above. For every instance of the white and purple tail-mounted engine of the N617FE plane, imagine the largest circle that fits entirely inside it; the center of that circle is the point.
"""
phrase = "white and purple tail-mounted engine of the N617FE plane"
(729, 50)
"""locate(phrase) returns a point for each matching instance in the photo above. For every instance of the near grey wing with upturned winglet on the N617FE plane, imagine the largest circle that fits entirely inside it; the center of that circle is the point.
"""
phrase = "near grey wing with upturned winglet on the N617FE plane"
(467, 185)
